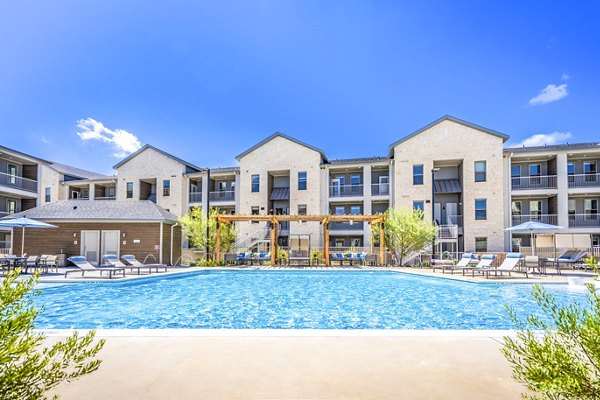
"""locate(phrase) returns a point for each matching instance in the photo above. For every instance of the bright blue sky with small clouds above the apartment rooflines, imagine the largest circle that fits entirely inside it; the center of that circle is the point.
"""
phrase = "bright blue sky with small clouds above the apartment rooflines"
(86, 82)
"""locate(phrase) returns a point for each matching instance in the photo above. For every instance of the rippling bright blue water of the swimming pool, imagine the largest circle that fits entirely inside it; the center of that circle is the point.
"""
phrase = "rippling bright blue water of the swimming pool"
(292, 299)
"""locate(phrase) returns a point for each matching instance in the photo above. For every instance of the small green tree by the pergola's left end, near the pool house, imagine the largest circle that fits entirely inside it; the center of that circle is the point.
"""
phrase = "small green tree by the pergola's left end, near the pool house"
(195, 224)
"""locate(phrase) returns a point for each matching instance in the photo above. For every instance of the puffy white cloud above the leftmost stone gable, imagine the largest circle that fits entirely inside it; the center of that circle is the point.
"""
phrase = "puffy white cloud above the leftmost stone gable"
(123, 142)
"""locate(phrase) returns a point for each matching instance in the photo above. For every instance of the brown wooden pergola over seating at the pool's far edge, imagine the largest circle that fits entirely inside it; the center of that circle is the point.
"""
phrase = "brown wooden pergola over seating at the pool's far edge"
(323, 219)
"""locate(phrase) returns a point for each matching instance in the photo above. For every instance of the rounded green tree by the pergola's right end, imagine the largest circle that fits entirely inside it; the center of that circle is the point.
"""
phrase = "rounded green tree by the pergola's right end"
(405, 231)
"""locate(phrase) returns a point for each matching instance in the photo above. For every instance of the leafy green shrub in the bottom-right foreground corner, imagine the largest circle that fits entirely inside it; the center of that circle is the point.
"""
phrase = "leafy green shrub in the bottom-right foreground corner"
(559, 359)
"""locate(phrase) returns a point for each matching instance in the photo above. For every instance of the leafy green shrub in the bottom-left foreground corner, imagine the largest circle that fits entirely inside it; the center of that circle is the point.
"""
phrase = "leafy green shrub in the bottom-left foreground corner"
(28, 371)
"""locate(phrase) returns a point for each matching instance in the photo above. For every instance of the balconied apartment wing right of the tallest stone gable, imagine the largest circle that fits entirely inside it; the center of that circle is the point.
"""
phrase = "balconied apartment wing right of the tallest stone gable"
(557, 185)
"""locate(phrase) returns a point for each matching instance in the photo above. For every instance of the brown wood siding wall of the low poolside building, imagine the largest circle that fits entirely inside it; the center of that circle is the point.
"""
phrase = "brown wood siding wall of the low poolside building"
(53, 241)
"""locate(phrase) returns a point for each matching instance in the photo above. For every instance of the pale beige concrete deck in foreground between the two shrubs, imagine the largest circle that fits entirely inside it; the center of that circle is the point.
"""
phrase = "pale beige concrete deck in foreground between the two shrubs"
(298, 367)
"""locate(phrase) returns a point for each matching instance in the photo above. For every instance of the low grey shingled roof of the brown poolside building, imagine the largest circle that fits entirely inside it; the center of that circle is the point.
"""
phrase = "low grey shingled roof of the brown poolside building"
(94, 210)
